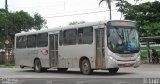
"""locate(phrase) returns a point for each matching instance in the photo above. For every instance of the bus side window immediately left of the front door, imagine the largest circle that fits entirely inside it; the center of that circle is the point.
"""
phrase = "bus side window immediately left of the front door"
(85, 35)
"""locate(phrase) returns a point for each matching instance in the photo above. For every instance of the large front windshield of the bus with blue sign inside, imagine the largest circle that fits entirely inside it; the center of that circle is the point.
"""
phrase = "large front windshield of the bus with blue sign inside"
(123, 39)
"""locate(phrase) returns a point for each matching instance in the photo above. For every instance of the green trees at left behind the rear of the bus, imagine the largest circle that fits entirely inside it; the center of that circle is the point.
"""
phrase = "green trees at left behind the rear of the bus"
(19, 21)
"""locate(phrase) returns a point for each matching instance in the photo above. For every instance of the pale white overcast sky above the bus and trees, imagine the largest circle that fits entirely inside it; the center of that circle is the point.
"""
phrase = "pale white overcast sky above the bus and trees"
(62, 12)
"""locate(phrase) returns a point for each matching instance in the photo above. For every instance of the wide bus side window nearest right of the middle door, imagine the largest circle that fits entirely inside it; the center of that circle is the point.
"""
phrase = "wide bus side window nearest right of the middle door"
(70, 37)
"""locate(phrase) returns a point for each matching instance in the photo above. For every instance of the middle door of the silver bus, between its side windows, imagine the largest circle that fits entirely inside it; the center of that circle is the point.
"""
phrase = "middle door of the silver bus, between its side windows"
(53, 50)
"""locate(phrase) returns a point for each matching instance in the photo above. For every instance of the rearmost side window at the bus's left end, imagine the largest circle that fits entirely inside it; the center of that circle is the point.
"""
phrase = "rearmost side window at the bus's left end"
(21, 42)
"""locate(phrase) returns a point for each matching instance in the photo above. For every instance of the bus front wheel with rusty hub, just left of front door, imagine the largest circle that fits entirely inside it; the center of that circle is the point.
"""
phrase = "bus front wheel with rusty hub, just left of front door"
(85, 67)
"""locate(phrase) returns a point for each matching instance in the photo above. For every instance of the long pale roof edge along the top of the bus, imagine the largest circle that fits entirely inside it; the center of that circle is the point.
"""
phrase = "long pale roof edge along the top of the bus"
(67, 27)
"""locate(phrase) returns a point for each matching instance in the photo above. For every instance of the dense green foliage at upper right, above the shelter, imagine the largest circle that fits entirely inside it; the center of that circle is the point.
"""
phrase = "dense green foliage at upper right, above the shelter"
(146, 14)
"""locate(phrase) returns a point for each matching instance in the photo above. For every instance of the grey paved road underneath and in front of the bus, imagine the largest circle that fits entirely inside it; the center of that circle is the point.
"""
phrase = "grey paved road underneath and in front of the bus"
(144, 74)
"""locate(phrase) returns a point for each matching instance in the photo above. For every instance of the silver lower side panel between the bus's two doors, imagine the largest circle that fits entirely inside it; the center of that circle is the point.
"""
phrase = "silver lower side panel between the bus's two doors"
(70, 55)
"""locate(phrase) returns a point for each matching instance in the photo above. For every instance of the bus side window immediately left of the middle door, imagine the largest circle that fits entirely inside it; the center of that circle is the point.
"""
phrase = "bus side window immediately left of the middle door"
(42, 40)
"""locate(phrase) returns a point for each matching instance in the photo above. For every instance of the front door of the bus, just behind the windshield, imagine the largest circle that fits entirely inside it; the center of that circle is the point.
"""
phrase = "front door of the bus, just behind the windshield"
(100, 54)
